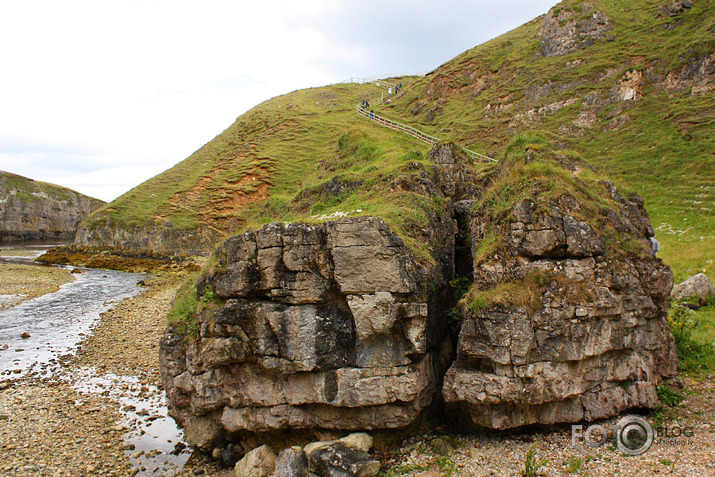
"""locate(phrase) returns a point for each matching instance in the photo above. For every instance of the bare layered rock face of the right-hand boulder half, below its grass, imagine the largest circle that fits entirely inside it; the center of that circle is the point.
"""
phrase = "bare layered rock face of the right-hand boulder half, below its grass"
(585, 335)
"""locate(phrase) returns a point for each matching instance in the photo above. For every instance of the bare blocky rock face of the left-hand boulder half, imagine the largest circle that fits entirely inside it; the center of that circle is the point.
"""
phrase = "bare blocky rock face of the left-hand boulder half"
(323, 326)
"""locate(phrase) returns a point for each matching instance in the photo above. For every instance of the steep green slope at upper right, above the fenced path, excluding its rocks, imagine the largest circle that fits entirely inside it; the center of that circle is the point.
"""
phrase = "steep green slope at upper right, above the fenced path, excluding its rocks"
(666, 153)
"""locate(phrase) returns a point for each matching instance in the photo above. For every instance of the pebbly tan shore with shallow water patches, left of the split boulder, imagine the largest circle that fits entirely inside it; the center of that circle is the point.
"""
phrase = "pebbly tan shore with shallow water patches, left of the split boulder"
(102, 412)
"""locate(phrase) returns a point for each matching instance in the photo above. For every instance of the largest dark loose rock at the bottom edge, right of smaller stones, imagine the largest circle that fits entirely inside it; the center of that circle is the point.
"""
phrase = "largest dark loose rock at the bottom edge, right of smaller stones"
(338, 460)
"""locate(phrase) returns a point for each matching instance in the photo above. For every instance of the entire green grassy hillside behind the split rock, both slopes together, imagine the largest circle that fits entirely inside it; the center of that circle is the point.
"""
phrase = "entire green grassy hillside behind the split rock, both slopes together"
(633, 93)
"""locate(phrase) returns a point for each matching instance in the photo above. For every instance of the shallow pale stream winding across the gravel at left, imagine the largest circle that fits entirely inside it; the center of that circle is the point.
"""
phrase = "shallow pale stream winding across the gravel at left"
(55, 324)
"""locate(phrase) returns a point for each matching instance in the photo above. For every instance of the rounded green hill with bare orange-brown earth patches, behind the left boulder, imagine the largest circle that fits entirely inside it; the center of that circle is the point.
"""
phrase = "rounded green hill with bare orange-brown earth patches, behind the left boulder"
(273, 164)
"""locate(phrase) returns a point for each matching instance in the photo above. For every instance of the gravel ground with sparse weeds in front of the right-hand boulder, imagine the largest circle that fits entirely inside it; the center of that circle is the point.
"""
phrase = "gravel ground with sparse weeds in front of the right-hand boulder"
(503, 454)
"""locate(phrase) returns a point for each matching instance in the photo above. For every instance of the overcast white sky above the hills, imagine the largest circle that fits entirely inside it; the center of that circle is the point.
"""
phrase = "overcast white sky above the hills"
(100, 95)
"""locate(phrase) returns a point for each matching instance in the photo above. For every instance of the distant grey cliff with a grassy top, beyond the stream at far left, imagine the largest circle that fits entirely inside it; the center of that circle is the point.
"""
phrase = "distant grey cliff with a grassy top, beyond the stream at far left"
(36, 210)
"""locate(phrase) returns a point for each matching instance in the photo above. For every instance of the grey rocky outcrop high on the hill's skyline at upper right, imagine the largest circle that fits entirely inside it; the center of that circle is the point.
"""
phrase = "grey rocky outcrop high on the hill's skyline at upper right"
(565, 31)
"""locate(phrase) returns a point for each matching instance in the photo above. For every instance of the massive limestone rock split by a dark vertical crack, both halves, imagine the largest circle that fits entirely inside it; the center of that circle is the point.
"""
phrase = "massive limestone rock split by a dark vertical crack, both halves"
(338, 326)
